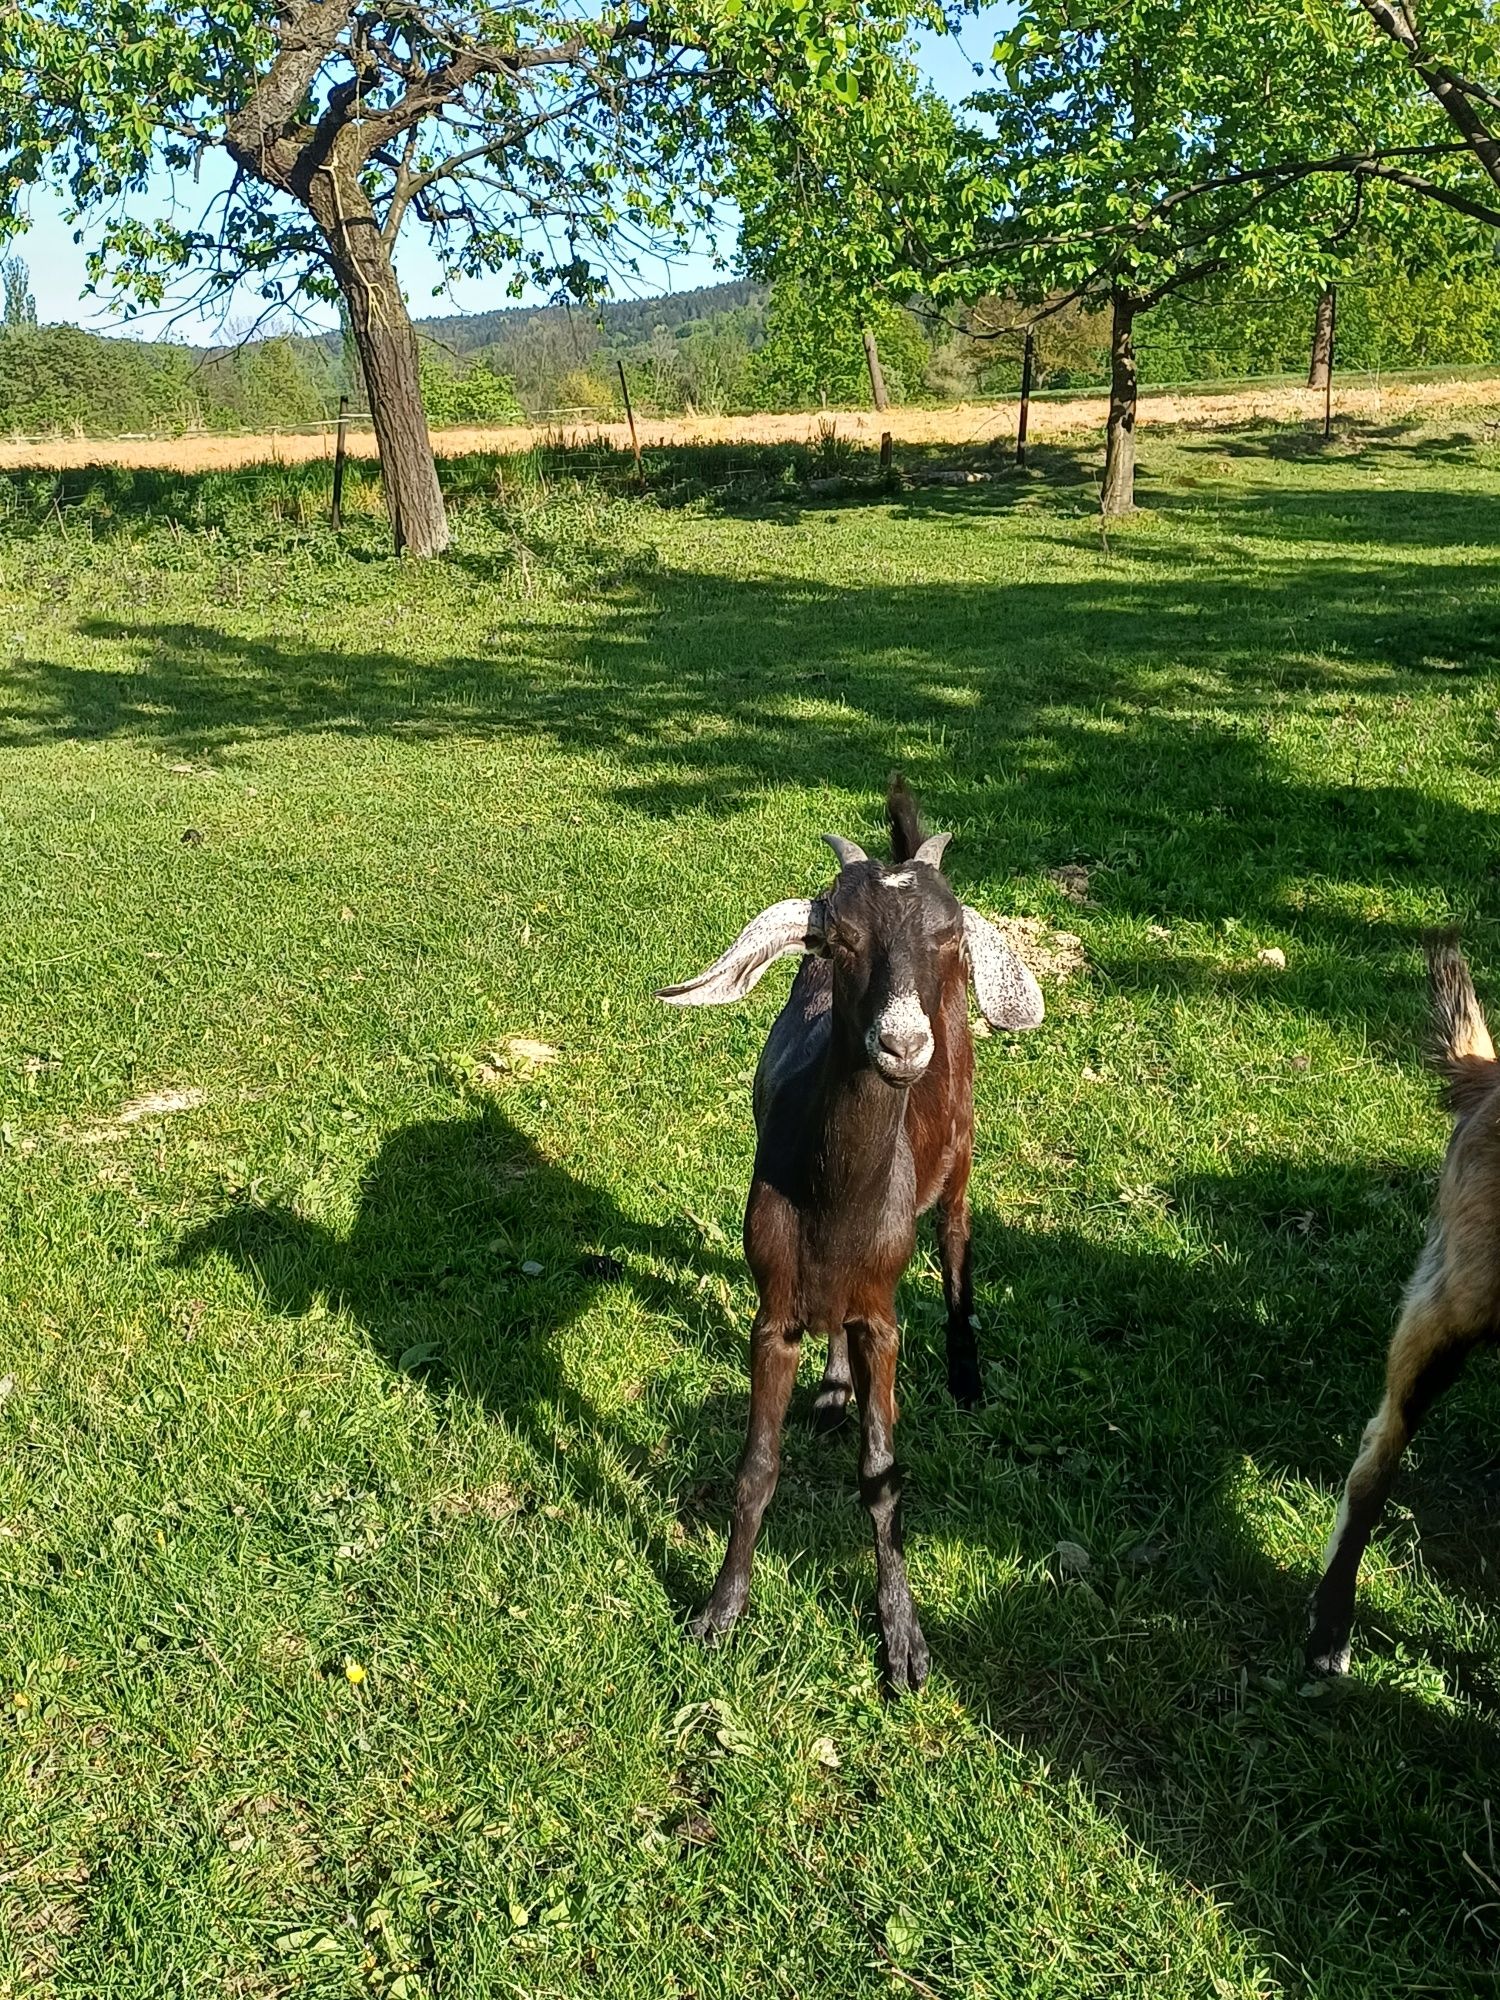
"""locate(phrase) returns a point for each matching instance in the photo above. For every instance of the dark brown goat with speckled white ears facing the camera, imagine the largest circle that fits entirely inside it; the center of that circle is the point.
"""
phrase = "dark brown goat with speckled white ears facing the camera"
(865, 1115)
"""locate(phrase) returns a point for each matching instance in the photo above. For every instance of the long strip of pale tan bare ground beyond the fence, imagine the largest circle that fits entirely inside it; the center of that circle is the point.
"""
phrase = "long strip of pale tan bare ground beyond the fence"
(967, 423)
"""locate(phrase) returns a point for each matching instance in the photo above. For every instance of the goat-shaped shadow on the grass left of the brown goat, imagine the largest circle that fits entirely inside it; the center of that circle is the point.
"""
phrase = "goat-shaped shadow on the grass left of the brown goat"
(467, 1261)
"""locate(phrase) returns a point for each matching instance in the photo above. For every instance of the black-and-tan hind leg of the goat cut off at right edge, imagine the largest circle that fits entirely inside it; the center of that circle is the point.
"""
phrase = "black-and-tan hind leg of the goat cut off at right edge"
(1427, 1357)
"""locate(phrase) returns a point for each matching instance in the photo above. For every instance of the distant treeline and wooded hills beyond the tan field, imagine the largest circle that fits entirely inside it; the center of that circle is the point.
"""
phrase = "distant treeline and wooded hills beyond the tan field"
(723, 349)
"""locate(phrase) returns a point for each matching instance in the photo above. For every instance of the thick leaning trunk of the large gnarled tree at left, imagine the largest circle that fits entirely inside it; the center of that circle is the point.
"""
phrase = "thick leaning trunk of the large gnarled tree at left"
(387, 343)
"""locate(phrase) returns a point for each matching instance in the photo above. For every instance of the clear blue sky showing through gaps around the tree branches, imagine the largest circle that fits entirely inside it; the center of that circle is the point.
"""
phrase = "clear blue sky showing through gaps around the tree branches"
(59, 275)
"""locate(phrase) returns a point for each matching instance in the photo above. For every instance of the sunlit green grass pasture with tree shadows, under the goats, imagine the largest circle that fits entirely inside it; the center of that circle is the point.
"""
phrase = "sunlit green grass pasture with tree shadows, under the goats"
(371, 1299)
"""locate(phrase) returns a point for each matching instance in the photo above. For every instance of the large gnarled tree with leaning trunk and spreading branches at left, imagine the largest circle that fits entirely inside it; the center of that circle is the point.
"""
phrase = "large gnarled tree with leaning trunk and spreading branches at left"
(521, 135)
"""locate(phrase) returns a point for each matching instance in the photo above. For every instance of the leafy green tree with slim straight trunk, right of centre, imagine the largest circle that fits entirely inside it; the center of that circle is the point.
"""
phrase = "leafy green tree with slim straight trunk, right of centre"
(1167, 147)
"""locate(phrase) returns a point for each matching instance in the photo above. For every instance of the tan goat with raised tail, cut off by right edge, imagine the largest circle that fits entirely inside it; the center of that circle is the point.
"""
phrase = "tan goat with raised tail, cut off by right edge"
(1453, 1301)
